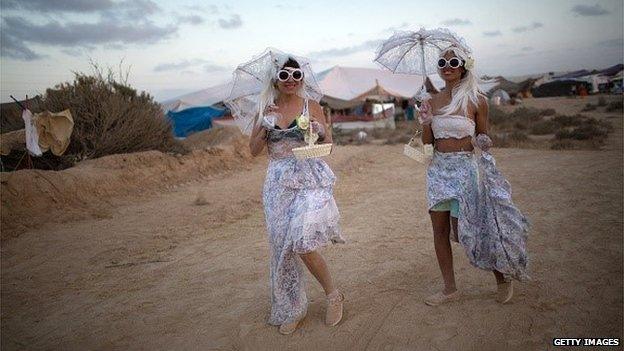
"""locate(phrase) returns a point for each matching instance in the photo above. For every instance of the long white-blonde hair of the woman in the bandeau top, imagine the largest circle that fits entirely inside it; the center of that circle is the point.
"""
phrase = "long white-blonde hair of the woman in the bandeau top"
(469, 88)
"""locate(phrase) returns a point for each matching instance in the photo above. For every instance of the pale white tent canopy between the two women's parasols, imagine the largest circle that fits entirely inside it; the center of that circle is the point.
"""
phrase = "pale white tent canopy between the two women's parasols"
(347, 87)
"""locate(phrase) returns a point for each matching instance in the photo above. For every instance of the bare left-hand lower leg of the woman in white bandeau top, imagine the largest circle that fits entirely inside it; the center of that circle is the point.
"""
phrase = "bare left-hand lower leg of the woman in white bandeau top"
(441, 229)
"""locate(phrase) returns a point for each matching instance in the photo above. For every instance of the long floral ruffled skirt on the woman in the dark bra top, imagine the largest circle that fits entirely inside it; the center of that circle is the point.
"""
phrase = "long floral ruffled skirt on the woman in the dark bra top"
(301, 216)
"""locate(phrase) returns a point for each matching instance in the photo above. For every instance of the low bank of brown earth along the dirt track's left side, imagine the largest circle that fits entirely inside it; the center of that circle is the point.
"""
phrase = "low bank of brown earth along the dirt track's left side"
(33, 197)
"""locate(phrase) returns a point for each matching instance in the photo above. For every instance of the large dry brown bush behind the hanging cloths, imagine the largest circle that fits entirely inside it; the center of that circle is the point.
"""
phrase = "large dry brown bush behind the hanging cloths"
(109, 116)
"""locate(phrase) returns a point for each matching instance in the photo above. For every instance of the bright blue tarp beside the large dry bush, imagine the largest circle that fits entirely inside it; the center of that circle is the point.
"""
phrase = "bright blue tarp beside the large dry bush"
(193, 120)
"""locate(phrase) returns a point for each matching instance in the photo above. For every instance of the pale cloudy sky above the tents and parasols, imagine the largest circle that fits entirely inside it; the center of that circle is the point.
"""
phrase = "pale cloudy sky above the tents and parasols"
(173, 47)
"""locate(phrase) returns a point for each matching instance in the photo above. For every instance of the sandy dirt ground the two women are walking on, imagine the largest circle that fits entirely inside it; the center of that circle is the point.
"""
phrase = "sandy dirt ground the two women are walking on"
(161, 273)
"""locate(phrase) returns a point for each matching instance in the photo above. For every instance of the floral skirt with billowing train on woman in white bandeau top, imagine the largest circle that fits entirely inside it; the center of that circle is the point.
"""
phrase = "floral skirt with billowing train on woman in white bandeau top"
(490, 227)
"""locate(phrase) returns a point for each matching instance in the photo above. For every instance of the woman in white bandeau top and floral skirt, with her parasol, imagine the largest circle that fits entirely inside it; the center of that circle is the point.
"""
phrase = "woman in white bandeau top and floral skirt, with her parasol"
(466, 194)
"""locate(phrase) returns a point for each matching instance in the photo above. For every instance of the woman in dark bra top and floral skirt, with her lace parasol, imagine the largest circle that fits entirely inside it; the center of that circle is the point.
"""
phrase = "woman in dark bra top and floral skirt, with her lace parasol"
(275, 99)
